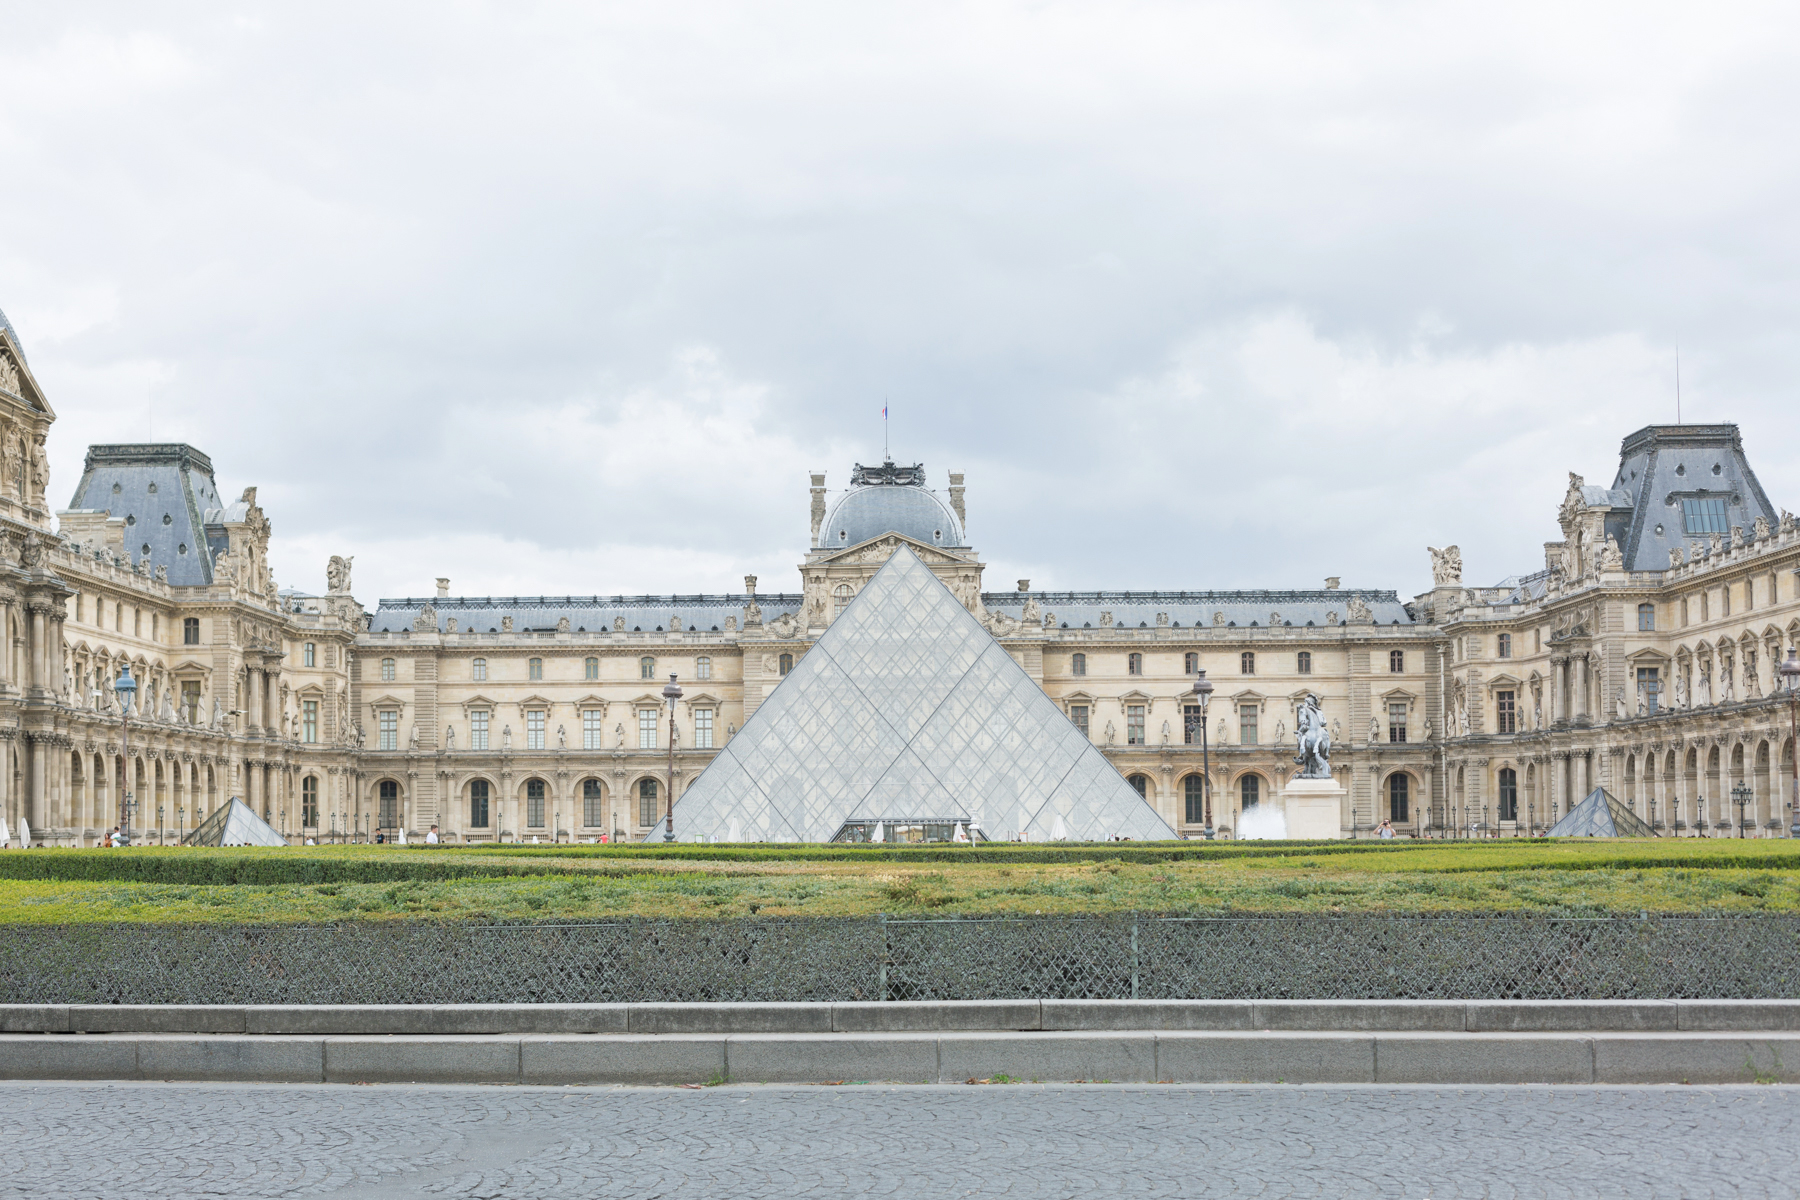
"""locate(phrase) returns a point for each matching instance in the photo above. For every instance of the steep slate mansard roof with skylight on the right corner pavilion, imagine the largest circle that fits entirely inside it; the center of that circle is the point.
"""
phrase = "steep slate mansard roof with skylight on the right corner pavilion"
(1662, 465)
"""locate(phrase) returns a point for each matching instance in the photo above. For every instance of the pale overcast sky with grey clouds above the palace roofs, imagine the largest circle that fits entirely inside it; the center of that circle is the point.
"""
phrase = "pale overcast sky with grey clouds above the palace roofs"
(571, 298)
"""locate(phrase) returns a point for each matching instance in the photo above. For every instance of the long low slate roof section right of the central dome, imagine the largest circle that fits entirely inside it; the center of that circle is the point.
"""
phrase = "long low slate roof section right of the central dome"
(1198, 609)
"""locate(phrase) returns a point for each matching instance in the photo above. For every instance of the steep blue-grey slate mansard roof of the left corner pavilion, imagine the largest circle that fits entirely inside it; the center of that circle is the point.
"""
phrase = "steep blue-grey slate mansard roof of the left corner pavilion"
(166, 496)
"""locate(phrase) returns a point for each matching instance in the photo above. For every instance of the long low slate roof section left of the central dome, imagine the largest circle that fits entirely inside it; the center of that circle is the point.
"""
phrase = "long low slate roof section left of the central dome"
(593, 614)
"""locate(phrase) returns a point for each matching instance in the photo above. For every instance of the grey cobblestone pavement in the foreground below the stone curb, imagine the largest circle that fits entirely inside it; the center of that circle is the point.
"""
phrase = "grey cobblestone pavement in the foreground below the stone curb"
(143, 1142)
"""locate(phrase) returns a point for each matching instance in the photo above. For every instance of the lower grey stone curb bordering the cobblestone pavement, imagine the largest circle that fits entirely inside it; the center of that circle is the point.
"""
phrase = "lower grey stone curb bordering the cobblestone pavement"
(886, 1057)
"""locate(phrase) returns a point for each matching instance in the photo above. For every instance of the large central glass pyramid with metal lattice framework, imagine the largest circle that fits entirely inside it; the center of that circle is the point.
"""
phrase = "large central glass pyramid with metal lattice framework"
(906, 712)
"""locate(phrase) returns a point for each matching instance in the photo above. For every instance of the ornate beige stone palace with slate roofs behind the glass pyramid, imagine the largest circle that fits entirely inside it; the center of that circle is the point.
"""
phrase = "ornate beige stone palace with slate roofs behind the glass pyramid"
(1641, 658)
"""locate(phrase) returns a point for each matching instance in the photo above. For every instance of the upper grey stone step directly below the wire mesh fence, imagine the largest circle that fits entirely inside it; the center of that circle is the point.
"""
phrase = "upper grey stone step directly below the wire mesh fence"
(917, 1017)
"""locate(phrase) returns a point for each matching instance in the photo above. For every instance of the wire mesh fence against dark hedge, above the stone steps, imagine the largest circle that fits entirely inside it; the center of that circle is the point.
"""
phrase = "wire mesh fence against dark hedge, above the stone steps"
(1126, 956)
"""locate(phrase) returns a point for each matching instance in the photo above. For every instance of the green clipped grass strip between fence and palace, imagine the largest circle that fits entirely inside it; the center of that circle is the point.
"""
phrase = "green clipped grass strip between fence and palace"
(381, 882)
